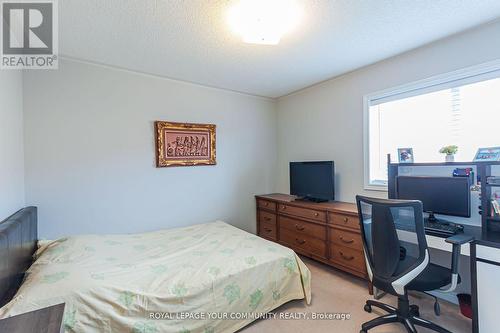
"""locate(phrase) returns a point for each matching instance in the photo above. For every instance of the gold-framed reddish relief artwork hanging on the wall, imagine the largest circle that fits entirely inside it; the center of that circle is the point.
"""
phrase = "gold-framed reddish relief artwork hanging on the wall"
(182, 144)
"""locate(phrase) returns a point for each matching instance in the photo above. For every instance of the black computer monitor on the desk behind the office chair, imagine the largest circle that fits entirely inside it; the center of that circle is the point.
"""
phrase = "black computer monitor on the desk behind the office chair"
(440, 195)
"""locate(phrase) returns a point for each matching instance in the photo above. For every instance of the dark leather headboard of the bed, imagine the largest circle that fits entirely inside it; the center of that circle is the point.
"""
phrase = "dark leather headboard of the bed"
(18, 243)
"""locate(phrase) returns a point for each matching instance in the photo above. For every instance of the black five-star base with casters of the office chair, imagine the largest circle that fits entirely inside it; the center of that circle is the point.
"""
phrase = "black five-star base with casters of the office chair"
(406, 314)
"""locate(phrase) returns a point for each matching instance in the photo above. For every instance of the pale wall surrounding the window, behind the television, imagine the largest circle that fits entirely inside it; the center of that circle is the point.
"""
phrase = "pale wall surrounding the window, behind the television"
(325, 122)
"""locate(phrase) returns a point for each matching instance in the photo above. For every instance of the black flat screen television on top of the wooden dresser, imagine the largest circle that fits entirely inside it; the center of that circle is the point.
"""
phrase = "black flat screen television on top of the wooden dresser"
(314, 181)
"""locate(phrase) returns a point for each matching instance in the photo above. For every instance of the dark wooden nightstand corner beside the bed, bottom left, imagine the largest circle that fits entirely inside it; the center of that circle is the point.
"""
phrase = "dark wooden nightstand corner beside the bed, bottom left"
(46, 320)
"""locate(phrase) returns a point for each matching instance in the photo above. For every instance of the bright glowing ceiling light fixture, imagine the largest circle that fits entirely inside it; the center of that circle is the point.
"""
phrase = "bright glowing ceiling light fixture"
(264, 21)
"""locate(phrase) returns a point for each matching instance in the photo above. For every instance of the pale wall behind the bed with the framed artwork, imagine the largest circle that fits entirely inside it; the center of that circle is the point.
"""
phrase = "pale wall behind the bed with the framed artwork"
(90, 160)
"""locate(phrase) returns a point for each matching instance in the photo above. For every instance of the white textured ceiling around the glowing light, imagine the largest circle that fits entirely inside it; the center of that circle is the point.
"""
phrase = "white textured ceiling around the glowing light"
(190, 40)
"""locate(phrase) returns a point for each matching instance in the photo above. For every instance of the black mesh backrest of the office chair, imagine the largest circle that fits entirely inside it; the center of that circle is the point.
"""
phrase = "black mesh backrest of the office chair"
(393, 235)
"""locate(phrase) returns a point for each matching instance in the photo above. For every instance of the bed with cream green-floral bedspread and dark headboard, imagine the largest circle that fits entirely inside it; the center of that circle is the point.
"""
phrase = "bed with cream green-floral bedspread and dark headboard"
(205, 278)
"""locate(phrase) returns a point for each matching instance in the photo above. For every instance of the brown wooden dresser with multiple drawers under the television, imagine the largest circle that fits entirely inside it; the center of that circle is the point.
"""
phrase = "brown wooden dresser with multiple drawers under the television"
(327, 232)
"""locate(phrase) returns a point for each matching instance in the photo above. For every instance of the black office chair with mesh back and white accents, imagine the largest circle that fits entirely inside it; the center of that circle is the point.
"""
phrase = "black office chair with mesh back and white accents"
(398, 260)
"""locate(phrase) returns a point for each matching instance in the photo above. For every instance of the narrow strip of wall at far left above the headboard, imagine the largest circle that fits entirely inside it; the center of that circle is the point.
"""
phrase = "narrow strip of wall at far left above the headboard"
(11, 143)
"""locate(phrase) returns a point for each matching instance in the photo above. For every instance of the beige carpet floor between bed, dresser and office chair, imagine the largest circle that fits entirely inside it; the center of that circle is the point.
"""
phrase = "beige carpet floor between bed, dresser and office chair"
(334, 291)
